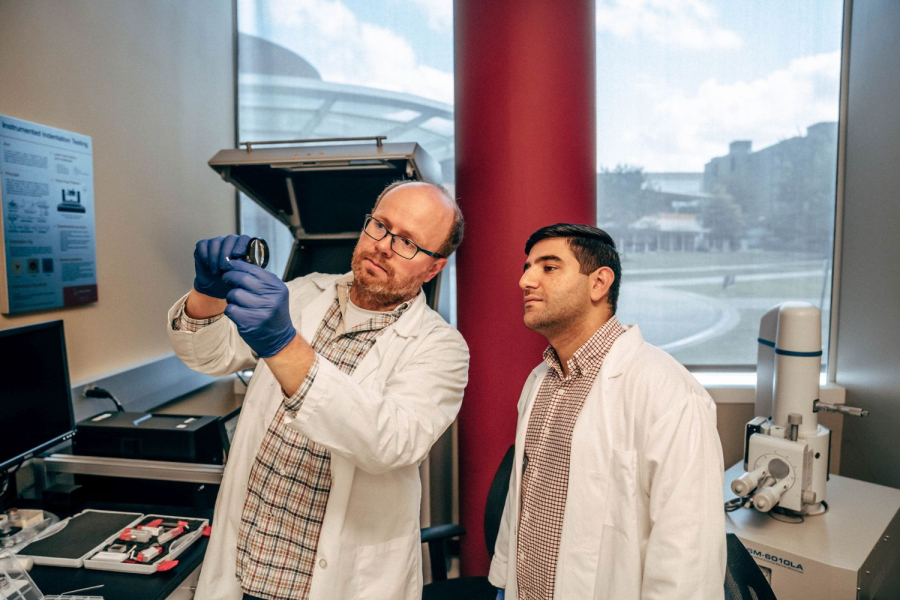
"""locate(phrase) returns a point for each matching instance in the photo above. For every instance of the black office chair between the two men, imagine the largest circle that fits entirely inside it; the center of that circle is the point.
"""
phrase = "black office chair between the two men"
(471, 588)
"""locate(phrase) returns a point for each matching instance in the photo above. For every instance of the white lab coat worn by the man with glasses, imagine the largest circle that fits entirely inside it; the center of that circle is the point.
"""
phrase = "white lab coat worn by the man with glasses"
(379, 424)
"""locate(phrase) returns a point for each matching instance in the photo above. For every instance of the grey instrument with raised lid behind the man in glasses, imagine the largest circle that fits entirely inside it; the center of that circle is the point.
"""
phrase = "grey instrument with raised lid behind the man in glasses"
(322, 190)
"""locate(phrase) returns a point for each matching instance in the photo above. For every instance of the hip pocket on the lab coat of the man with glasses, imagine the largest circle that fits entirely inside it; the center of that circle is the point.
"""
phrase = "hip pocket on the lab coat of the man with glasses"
(389, 571)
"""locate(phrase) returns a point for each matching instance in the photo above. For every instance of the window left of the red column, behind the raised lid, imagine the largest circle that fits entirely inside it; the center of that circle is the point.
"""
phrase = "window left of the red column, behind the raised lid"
(345, 68)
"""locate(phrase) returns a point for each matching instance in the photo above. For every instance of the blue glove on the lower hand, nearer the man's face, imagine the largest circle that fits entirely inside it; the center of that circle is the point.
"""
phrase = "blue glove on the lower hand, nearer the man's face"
(258, 305)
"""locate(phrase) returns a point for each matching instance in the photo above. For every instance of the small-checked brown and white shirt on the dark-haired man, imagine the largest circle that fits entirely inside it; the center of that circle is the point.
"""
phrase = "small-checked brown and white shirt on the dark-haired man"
(548, 445)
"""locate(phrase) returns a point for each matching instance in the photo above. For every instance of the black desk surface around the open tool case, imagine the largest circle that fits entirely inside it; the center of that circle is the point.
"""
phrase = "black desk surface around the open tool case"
(127, 586)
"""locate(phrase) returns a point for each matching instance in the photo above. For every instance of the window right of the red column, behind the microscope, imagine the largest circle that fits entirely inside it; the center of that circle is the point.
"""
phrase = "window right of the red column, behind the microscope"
(717, 153)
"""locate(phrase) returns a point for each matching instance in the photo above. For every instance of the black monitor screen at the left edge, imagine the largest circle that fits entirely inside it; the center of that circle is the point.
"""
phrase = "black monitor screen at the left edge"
(35, 397)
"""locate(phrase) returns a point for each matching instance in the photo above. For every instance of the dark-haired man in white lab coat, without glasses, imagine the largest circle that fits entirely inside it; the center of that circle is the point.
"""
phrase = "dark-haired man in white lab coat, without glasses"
(616, 490)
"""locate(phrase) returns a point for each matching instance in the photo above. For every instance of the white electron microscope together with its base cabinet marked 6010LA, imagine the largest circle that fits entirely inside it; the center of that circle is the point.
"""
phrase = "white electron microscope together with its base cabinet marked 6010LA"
(809, 547)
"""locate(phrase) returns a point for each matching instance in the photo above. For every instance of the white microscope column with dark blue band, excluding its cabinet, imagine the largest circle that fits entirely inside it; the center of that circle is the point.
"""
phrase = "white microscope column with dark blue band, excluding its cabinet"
(786, 451)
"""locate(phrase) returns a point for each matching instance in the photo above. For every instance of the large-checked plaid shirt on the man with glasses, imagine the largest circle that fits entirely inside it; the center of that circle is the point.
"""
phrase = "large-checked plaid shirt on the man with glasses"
(291, 477)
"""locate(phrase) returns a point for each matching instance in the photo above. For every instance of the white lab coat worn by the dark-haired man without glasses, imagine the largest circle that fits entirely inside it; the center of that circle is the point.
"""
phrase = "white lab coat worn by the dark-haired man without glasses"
(643, 517)
